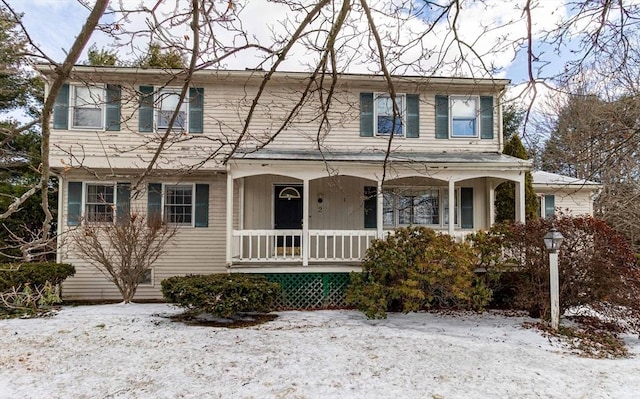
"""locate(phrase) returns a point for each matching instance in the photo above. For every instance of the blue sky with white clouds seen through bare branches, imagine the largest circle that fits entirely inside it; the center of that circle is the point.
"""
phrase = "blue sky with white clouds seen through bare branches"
(494, 28)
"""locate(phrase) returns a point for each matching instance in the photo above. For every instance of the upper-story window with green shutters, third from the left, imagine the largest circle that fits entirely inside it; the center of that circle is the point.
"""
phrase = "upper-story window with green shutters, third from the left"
(377, 117)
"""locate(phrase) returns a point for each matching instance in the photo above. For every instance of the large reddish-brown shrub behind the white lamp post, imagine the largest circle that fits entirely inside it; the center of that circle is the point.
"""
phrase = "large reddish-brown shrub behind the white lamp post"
(596, 266)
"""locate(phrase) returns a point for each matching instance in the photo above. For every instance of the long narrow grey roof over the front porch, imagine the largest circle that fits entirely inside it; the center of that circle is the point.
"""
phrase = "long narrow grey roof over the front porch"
(379, 157)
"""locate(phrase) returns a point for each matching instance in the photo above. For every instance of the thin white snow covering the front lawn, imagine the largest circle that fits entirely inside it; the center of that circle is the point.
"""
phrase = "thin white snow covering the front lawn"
(130, 351)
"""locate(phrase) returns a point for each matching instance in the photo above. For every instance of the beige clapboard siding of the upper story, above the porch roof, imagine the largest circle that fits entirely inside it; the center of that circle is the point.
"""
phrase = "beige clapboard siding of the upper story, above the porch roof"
(226, 107)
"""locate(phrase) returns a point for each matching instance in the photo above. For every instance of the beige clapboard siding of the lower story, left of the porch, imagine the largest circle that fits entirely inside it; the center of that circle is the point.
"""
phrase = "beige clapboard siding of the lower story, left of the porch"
(193, 250)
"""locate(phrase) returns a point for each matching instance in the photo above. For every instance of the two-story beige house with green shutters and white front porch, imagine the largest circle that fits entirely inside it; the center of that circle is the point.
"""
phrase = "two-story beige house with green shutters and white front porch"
(298, 182)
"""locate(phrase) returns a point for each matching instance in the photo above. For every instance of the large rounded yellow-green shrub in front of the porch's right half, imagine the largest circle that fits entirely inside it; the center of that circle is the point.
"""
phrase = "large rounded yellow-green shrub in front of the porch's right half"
(416, 269)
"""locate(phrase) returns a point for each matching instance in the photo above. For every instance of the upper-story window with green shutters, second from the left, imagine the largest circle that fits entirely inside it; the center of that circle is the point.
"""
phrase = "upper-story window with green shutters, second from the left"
(157, 106)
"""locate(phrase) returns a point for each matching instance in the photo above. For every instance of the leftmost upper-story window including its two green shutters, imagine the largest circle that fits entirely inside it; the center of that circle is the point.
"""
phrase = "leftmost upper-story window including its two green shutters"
(94, 107)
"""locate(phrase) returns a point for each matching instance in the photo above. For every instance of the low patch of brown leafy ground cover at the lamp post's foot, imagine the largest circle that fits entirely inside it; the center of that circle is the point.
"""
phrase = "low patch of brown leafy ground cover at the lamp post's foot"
(589, 337)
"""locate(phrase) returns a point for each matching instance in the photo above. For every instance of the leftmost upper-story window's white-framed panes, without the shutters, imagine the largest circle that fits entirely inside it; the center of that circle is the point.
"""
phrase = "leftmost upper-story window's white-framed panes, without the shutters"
(87, 107)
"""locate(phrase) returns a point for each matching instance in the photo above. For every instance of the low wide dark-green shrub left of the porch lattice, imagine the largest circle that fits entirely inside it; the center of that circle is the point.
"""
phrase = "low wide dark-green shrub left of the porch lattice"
(222, 295)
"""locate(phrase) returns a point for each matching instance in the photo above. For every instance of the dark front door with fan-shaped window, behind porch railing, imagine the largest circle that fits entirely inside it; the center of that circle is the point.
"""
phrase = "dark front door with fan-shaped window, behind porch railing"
(288, 212)
